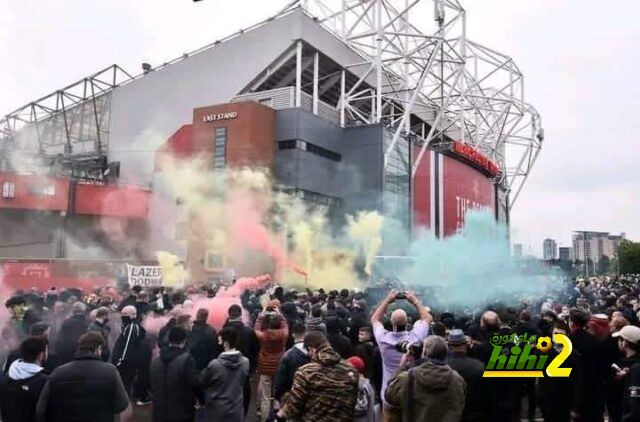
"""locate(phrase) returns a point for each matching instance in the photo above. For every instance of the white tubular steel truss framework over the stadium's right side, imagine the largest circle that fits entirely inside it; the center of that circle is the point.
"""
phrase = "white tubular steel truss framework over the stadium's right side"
(432, 84)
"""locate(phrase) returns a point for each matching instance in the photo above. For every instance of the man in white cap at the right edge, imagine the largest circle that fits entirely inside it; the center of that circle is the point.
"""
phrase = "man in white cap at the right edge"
(629, 371)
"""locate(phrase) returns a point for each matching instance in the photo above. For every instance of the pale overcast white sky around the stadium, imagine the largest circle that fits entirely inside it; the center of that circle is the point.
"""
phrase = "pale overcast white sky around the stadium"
(580, 59)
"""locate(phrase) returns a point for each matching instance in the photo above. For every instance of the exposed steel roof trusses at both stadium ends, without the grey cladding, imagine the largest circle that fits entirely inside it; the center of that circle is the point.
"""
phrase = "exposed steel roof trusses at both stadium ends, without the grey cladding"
(429, 84)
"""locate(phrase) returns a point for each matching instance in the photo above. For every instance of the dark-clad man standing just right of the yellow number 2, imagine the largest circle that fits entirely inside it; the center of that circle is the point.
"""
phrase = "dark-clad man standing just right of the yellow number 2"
(589, 348)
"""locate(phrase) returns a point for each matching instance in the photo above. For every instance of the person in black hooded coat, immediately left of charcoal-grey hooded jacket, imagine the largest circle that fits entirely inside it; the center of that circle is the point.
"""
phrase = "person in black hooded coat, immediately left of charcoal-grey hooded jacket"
(174, 381)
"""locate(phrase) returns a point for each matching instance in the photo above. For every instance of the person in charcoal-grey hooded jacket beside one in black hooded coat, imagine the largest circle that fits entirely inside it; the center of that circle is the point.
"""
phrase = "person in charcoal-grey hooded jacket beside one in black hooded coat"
(223, 381)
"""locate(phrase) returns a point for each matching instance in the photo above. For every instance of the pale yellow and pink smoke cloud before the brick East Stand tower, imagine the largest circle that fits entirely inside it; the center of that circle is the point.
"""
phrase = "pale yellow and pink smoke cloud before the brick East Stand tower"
(219, 202)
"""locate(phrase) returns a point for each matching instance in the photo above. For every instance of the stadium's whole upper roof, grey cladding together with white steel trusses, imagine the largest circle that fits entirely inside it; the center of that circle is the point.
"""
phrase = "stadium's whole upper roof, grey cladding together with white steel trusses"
(354, 61)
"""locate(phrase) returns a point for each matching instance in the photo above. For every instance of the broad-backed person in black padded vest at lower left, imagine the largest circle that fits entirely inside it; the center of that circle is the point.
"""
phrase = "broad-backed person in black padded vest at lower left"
(85, 389)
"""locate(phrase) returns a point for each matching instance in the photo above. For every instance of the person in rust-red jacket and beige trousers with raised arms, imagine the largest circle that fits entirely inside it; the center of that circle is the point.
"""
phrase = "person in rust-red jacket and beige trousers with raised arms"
(272, 331)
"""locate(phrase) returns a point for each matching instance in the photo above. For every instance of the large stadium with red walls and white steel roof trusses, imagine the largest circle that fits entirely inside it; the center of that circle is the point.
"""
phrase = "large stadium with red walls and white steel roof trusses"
(353, 105)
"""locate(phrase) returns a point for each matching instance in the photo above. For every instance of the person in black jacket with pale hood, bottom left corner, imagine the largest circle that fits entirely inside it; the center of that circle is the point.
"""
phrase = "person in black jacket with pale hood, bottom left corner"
(20, 388)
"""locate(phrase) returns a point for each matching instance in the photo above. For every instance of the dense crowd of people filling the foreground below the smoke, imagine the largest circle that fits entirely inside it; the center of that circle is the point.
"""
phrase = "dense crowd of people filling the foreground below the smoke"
(314, 355)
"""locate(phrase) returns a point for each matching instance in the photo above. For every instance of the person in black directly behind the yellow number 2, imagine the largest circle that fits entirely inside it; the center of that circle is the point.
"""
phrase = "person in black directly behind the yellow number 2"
(562, 399)
